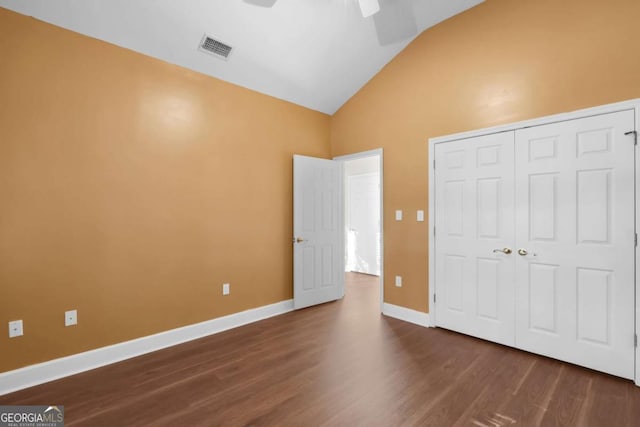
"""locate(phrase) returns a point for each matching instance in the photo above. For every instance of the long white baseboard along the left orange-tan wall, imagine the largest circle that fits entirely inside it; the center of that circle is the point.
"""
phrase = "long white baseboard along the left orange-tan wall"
(58, 368)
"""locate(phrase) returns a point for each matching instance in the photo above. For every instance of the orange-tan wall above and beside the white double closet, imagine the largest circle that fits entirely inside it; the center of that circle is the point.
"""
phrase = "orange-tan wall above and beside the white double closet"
(500, 62)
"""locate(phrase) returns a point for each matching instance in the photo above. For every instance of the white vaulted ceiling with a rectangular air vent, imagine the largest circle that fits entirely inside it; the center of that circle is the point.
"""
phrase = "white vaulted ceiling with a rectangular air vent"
(315, 53)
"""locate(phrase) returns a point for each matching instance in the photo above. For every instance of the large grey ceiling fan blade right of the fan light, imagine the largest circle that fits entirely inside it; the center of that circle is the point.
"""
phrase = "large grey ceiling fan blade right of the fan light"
(395, 22)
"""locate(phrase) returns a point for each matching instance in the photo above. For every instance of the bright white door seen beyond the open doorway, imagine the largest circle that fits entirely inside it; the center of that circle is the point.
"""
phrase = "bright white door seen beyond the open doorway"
(363, 198)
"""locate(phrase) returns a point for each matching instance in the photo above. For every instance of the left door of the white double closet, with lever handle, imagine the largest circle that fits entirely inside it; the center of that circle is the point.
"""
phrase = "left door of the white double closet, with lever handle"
(474, 216)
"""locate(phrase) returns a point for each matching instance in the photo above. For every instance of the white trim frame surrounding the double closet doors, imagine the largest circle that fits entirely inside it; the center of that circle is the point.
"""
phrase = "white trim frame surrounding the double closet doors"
(604, 109)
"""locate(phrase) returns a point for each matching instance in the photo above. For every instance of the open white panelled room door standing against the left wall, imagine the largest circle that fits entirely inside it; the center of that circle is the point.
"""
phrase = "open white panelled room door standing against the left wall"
(318, 261)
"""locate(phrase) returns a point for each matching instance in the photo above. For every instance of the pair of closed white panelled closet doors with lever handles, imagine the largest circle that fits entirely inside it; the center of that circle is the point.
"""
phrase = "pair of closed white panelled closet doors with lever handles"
(535, 240)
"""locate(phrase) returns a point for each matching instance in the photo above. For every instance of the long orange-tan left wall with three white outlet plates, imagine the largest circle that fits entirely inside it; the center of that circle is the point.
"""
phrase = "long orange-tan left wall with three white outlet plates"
(131, 189)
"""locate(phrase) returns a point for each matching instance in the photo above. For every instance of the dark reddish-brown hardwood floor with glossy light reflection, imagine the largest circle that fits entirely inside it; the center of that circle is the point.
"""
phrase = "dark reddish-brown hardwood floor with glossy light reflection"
(340, 364)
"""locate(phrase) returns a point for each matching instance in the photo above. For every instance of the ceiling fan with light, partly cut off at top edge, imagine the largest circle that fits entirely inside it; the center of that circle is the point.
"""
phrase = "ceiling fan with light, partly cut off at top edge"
(394, 20)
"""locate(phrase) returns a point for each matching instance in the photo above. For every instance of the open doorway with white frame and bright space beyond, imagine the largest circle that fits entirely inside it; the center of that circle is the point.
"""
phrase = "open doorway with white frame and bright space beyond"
(363, 230)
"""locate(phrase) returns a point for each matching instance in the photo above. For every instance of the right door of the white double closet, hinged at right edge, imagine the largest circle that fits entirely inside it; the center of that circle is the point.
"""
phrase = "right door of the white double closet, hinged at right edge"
(575, 219)
